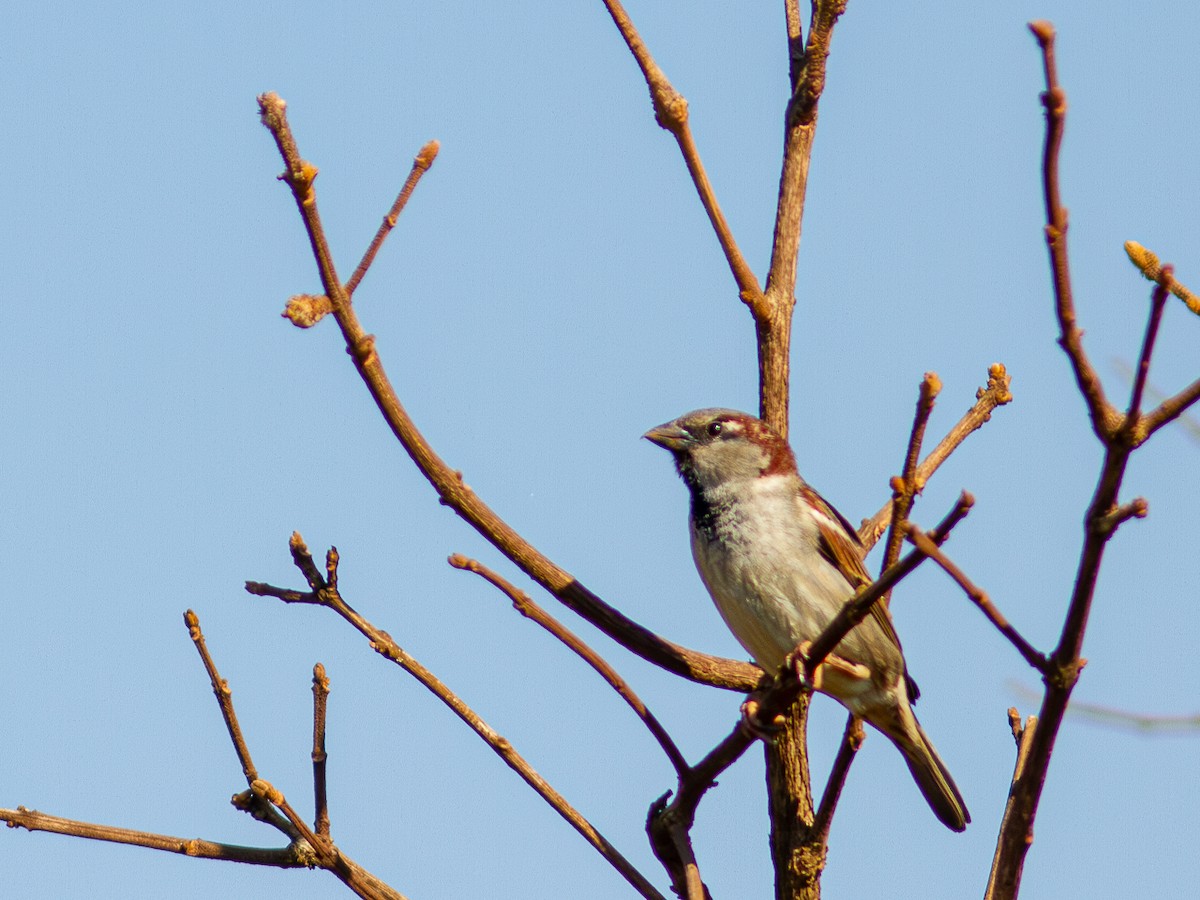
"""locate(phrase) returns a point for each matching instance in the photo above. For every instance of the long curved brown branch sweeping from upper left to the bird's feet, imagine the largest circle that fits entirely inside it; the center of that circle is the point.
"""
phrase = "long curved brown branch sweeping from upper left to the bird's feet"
(449, 484)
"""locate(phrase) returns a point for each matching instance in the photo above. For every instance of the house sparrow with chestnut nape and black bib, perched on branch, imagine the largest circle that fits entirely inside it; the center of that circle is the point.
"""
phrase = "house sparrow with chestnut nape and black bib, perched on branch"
(779, 563)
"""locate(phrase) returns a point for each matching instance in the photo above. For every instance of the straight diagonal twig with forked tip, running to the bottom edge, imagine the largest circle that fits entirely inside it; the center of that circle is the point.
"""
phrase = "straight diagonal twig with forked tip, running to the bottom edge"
(326, 593)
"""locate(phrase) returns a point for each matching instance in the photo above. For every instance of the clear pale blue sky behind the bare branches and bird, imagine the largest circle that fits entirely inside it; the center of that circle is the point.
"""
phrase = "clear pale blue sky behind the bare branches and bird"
(553, 291)
